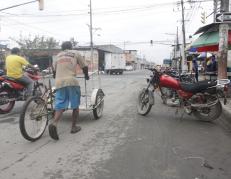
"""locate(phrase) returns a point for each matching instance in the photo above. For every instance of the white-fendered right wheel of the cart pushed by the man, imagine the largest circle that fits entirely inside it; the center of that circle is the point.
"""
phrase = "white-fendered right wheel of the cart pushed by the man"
(98, 111)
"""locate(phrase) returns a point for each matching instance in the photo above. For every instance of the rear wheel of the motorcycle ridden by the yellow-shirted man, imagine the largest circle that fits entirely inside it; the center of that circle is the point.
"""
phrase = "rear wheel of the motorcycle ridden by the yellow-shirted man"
(8, 106)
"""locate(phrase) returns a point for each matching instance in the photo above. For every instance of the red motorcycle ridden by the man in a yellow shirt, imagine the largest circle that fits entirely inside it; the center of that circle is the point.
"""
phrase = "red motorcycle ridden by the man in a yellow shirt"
(11, 90)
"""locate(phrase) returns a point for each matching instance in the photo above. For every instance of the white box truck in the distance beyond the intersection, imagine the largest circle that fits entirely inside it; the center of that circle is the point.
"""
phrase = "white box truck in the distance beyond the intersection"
(114, 63)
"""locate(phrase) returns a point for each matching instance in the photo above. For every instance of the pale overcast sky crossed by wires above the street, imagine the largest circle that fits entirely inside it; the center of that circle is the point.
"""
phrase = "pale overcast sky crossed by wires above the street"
(128, 24)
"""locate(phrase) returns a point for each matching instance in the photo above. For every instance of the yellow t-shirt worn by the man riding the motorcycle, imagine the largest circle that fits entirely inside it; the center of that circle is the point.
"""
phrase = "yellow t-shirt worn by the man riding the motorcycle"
(14, 64)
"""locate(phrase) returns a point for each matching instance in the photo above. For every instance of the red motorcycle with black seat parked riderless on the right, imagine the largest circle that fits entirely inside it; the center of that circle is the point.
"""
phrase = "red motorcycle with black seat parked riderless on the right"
(200, 99)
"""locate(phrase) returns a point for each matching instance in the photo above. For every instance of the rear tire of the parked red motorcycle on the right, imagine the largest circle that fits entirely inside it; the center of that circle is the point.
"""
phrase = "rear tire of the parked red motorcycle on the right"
(209, 114)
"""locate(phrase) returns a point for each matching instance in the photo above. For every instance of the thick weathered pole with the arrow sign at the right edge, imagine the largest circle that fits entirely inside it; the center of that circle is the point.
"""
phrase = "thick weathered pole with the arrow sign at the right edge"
(223, 43)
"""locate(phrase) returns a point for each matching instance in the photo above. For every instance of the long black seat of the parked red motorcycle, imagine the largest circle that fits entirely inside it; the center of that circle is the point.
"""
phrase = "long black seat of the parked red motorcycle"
(200, 86)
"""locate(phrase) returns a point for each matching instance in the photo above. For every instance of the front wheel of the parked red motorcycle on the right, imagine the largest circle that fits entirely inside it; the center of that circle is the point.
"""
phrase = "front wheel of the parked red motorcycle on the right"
(143, 101)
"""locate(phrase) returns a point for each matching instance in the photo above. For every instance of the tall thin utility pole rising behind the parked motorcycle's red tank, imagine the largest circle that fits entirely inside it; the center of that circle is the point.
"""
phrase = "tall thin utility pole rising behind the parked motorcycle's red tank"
(183, 60)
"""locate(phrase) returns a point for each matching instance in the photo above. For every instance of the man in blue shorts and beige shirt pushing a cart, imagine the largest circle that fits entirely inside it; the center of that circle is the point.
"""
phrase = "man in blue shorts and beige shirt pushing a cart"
(67, 87)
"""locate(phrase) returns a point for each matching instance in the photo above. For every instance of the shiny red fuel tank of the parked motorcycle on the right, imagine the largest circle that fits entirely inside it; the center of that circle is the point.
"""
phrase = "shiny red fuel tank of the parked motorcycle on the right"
(169, 82)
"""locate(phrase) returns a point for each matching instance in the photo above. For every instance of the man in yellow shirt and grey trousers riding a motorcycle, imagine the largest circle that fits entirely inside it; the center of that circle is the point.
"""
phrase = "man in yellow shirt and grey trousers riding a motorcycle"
(14, 69)
